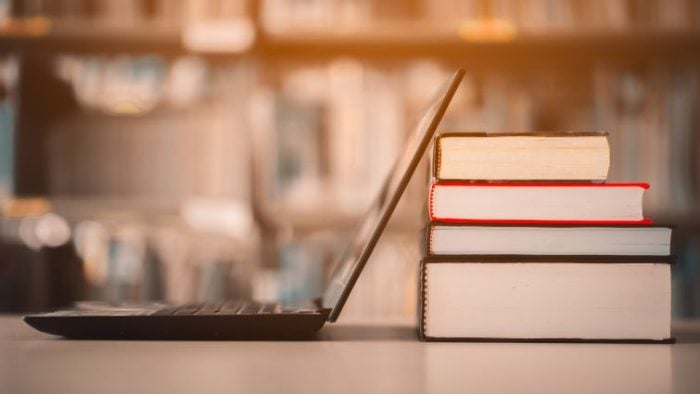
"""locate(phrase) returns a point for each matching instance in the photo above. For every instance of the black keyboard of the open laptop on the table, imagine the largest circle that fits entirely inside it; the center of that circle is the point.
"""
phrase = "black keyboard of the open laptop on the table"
(227, 308)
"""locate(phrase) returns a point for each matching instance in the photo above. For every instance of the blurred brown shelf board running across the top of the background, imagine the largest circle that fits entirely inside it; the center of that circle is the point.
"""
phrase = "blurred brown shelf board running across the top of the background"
(391, 41)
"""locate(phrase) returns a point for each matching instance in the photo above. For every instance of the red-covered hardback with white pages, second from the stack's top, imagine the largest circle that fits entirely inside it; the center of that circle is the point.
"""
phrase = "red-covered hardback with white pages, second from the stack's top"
(568, 203)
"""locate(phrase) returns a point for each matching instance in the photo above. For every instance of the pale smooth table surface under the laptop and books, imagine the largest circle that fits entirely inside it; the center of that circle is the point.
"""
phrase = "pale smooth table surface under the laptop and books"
(347, 358)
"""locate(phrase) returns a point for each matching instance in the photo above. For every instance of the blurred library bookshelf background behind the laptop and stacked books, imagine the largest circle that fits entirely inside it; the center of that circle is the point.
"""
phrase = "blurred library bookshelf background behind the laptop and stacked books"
(188, 150)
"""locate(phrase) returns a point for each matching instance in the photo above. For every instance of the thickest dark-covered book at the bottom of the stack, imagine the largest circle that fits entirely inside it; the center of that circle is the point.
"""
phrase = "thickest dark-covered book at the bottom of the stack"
(546, 298)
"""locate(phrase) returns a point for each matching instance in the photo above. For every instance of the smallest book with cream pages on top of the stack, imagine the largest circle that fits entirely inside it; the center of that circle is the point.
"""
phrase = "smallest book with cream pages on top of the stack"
(522, 156)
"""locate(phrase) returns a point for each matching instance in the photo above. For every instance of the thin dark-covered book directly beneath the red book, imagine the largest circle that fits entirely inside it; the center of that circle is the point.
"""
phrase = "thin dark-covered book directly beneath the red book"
(458, 239)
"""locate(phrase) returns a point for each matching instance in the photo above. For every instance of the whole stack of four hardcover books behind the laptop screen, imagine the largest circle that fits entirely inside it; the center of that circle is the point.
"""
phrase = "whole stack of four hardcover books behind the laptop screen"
(528, 242)
